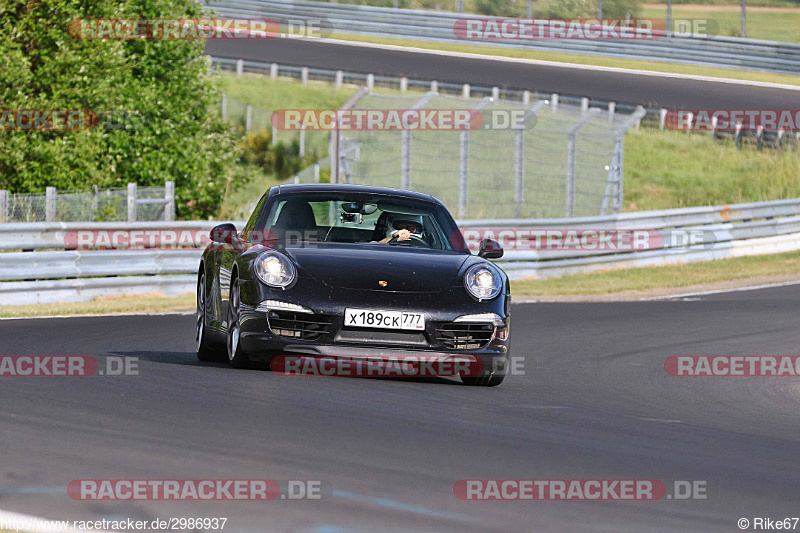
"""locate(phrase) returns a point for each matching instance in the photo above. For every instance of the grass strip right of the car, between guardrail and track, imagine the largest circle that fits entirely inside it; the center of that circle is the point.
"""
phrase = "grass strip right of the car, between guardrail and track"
(757, 268)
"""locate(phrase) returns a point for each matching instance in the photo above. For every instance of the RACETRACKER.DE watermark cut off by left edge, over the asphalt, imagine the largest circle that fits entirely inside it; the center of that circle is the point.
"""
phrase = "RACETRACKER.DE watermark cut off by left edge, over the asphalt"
(67, 366)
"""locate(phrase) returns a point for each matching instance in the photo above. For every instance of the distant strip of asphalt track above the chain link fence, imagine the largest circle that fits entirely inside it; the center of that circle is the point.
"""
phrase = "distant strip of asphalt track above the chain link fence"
(621, 87)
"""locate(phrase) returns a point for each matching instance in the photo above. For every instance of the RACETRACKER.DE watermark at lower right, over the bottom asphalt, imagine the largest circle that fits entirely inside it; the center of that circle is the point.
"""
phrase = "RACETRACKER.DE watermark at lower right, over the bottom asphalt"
(578, 490)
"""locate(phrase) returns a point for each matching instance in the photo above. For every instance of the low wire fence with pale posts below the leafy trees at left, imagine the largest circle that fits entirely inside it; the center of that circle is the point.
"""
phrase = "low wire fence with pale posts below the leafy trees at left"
(117, 204)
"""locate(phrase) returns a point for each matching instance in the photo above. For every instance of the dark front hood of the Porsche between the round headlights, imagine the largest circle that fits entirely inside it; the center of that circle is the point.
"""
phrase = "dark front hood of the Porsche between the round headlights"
(363, 266)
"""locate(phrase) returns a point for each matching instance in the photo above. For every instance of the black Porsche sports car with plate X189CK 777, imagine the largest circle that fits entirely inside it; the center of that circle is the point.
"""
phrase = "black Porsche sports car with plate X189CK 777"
(348, 271)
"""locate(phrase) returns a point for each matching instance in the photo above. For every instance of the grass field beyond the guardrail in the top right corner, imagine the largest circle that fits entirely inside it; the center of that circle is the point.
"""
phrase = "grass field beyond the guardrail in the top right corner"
(771, 24)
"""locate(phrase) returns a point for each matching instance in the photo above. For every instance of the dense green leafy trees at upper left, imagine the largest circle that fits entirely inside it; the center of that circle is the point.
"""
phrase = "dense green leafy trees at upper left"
(164, 82)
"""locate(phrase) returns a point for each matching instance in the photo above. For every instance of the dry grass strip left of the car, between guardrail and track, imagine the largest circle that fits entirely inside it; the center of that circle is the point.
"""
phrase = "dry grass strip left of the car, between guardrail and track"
(146, 303)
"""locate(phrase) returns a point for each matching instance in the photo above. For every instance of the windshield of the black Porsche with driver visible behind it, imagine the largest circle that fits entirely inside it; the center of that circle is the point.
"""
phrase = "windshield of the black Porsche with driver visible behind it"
(361, 219)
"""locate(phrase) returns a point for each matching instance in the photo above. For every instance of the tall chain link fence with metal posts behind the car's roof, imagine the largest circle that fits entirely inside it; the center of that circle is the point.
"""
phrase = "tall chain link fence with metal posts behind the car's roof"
(562, 161)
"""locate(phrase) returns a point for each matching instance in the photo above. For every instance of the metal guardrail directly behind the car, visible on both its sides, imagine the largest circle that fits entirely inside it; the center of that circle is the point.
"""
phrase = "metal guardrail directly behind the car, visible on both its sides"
(56, 274)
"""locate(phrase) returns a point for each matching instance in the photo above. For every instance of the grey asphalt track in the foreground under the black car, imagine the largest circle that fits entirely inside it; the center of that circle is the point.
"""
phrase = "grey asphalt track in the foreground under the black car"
(594, 403)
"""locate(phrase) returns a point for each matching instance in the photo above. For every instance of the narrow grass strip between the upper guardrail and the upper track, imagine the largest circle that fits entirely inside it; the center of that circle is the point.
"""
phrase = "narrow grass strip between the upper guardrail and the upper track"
(602, 61)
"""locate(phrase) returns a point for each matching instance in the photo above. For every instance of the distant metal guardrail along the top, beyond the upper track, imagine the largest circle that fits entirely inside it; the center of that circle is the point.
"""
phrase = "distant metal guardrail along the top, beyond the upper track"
(711, 51)
